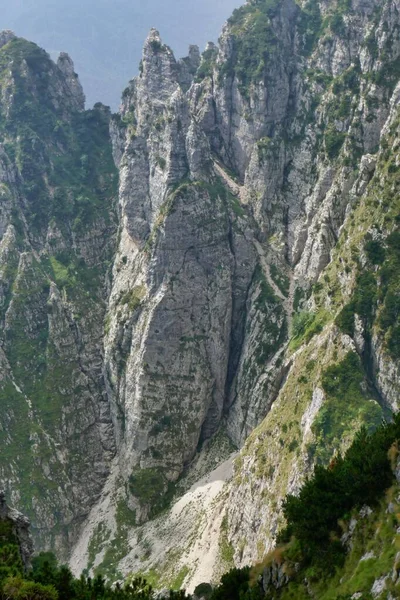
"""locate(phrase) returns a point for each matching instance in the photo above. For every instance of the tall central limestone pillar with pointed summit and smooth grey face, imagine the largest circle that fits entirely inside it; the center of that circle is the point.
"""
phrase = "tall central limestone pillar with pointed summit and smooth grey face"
(183, 270)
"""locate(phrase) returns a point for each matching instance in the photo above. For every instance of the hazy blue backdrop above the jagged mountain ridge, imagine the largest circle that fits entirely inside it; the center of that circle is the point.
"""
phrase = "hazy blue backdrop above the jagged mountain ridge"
(105, 37)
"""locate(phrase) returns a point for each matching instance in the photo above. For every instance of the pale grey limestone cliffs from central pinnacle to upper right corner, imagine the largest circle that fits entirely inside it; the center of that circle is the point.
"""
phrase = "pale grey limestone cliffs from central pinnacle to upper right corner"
(290, 103)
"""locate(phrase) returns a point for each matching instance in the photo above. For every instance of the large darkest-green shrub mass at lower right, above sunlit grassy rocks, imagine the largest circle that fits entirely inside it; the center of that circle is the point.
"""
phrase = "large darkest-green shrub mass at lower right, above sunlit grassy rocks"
(361, 477)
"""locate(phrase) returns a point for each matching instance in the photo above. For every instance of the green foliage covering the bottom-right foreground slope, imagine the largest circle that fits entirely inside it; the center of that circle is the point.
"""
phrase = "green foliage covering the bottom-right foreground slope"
(310, 547)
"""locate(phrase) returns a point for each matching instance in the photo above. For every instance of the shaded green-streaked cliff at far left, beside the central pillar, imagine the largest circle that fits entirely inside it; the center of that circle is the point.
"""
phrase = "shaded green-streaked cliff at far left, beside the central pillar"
(58, 189)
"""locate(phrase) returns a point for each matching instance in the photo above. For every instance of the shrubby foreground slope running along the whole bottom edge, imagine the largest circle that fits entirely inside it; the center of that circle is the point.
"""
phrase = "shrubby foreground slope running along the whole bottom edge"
(341, 542)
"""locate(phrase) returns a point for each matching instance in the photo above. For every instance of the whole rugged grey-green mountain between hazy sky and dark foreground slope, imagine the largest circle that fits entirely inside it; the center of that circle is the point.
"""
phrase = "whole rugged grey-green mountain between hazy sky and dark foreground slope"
(235, 300)
